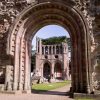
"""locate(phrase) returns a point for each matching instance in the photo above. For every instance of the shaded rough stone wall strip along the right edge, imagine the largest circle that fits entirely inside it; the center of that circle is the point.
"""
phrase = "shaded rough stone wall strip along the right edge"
(95, 51)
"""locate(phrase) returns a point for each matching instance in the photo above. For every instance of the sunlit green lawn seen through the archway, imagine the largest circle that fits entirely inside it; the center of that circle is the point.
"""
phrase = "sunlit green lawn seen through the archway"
(49, 86)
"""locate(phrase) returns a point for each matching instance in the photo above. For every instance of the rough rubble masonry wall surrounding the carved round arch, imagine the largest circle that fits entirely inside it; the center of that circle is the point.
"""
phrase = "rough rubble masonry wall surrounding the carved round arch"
(90, 9)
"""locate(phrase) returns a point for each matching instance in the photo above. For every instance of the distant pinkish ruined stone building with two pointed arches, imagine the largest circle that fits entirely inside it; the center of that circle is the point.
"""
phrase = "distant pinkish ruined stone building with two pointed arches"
(52, 59)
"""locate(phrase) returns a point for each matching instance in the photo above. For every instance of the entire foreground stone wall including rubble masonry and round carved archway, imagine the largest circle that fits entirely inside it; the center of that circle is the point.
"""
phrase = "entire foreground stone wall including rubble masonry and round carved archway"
(21, 19)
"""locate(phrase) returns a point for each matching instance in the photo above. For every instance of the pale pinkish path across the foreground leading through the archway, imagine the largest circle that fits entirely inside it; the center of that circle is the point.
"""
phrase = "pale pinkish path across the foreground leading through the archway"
(57, 94)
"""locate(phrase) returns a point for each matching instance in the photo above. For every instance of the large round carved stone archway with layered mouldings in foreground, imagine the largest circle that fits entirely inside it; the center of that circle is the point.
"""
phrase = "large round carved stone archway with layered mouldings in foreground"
(20, 37)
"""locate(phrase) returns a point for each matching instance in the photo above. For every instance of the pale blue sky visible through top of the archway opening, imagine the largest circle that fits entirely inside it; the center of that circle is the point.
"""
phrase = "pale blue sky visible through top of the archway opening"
(49, 31)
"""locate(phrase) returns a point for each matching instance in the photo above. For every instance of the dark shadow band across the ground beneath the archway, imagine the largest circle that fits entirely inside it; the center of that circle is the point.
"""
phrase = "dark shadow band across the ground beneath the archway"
(45, 92)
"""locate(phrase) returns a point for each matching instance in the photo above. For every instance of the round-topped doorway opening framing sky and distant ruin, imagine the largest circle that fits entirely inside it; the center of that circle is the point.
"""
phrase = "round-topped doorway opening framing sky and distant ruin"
(52, 52)
